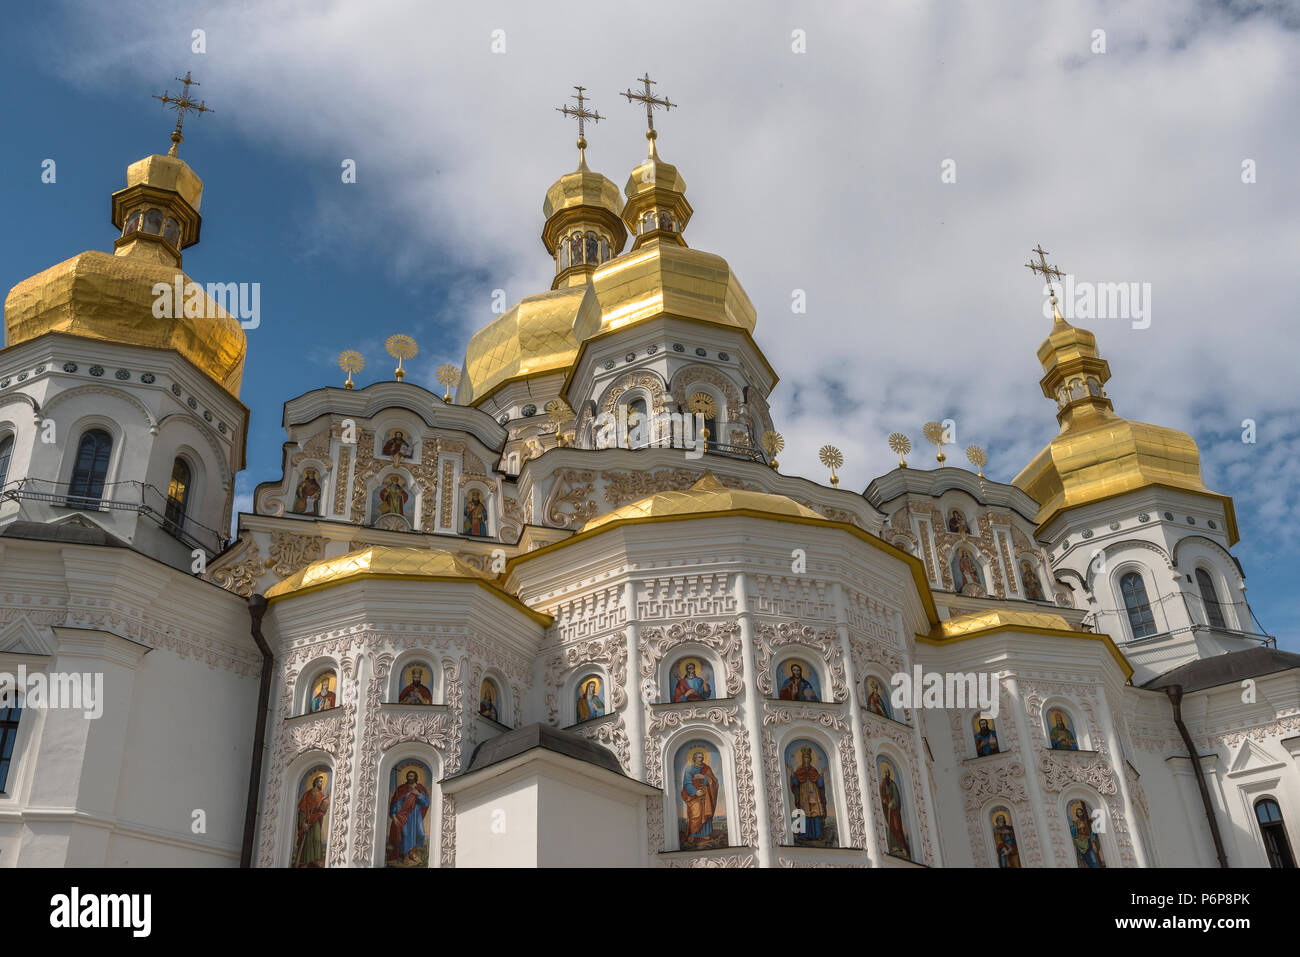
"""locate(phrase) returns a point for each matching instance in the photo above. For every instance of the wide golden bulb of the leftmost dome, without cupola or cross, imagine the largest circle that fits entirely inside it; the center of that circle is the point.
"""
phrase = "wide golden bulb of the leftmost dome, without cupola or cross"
(98, 296)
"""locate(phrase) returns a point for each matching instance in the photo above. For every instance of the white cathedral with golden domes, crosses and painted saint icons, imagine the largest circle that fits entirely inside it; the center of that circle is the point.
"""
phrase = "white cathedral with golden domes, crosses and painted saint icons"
(573, 613)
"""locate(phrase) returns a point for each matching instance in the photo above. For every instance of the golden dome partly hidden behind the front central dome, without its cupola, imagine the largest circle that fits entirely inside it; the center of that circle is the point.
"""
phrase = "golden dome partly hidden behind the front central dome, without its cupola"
(541, 335)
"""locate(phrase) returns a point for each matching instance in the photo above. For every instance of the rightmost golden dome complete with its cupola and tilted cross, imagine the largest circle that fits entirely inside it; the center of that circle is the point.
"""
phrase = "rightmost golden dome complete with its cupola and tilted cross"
(1099, 454)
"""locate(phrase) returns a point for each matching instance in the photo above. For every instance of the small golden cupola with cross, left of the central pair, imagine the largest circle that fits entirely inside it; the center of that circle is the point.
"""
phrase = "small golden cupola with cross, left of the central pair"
(583, 213)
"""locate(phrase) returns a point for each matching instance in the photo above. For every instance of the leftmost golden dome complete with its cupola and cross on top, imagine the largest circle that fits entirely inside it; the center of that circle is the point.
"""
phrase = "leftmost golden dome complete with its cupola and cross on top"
(112, 298)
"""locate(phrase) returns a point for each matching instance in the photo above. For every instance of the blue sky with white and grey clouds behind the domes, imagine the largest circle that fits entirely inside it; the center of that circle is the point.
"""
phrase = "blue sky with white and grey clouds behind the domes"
(891, 166)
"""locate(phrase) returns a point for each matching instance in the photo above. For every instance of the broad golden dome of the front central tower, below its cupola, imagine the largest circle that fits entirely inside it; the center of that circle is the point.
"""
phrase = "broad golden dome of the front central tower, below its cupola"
(662, 278)
